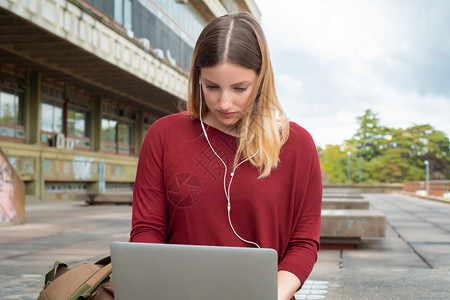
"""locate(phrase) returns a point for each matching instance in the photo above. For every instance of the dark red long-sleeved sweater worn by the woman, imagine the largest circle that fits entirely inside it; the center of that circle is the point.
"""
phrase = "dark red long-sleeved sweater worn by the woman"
(179, 194)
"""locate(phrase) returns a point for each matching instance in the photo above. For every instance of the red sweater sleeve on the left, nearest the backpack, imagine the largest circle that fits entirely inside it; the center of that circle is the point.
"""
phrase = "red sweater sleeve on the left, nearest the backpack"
(149, 214)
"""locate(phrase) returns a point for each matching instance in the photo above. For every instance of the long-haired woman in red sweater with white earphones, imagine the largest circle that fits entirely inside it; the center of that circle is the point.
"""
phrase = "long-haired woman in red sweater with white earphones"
(232, 171)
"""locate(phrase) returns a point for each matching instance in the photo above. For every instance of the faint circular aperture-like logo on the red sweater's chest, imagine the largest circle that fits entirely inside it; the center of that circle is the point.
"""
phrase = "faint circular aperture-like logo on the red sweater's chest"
(184, 190)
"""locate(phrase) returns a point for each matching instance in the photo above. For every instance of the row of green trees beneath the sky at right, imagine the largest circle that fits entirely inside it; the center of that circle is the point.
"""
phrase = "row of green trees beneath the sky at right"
(398, 159)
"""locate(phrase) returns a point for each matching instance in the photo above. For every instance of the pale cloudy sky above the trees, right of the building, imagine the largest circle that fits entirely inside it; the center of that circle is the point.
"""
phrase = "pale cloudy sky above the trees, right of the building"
(334, 59)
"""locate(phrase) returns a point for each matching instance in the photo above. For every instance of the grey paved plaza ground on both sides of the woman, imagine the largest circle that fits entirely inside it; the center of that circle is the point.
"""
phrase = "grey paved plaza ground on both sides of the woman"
(411, 262)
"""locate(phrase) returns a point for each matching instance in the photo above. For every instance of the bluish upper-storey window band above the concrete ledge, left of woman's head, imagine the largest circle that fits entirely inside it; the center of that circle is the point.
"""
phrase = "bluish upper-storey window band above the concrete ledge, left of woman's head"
(170, 26)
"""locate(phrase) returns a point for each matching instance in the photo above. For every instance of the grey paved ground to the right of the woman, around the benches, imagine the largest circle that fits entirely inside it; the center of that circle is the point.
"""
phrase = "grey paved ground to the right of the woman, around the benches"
(412, 262)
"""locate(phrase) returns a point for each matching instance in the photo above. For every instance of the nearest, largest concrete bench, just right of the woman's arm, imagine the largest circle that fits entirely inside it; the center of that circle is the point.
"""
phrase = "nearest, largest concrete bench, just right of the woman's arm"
(350, 225)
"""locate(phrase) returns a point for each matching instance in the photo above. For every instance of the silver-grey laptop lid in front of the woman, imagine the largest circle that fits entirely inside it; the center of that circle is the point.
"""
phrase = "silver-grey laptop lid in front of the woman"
(162, 272)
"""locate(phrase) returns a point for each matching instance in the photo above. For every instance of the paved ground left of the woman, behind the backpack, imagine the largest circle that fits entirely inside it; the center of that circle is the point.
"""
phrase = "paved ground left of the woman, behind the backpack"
(68, 231)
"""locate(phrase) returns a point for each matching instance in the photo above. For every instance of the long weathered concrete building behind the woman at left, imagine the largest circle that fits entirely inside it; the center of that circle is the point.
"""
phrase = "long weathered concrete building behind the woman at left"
(81, 81)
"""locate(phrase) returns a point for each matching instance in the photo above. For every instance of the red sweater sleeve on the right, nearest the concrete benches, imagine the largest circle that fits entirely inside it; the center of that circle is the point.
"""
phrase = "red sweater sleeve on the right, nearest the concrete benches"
(301, 252)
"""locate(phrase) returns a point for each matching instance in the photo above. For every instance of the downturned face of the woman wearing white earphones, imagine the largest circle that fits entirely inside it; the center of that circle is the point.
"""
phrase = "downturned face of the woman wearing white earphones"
(226, 88)
